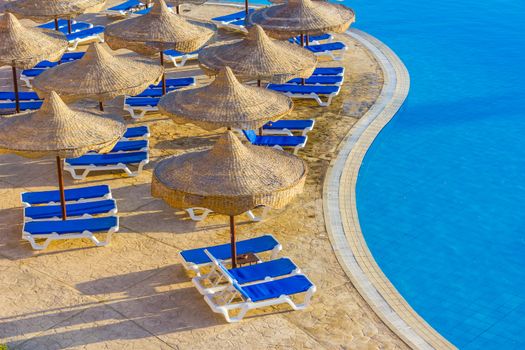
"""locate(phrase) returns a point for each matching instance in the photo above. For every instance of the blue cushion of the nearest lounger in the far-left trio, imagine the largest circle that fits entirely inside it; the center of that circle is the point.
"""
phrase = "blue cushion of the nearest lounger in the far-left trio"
(101, 224)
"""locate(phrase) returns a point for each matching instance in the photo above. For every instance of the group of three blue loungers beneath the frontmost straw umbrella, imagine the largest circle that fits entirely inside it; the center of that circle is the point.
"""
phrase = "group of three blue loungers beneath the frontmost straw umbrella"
(232, 292)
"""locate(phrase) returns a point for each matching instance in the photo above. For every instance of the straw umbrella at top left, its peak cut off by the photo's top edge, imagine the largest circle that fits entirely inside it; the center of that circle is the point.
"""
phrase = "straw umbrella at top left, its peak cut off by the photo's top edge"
(42, 11)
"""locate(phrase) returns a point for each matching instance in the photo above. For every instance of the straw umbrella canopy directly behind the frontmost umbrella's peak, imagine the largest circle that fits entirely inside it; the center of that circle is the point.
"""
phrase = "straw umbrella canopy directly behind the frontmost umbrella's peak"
(225, 103)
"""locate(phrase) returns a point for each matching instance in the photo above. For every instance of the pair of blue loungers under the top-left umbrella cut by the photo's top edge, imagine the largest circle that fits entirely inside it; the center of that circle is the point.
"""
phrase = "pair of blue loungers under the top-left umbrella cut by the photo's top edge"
(81, 32)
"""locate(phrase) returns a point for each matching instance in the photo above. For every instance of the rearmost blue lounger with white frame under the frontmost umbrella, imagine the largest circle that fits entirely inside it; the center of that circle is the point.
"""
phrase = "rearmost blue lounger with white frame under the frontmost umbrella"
(197, 259)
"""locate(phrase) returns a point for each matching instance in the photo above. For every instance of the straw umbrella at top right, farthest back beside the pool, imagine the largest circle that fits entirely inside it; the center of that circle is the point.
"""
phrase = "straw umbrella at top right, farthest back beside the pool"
(303, 17)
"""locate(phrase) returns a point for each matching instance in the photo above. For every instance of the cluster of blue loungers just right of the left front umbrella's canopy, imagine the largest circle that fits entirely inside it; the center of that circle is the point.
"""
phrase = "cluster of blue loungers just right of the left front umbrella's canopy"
(130, 155)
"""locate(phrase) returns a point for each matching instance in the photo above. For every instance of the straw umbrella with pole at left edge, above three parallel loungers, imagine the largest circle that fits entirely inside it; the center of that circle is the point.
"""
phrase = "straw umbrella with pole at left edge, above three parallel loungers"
(56, 130)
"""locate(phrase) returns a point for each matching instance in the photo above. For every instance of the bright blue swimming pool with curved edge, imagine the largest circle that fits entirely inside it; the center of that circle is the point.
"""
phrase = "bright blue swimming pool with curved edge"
(441, 192)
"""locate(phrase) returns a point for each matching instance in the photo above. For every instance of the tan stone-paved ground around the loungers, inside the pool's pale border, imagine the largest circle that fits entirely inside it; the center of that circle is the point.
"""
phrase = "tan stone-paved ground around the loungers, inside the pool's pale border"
(134, 294)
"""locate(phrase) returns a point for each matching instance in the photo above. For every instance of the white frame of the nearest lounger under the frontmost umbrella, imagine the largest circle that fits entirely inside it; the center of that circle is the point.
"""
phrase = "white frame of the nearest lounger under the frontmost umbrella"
(227, 304)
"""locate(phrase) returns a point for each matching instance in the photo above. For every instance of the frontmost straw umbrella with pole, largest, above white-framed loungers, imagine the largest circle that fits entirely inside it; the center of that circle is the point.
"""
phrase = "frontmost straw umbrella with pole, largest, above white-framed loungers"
(230, 179)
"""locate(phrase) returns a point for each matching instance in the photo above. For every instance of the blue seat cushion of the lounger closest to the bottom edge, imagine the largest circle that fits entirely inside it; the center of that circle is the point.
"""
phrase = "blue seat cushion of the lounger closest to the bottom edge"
(274, 289)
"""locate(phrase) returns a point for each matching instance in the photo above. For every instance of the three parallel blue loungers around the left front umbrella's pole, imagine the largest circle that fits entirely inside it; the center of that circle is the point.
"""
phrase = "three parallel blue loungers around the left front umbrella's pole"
(90, 211)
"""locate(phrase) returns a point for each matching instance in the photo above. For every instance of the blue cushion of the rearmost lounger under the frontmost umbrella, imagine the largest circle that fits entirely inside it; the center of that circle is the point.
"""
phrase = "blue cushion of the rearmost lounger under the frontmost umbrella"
(223, 252)
